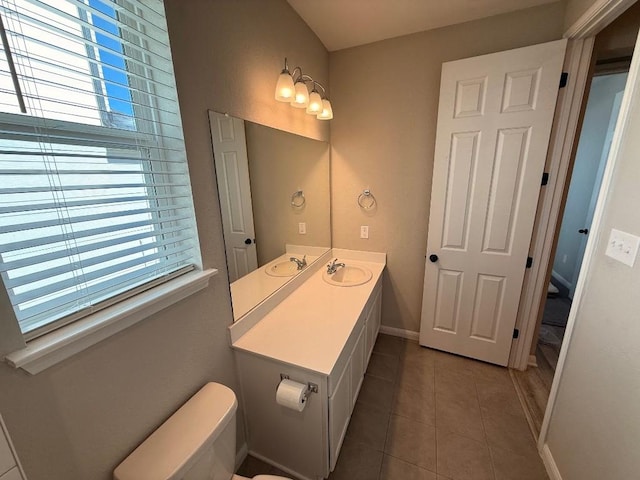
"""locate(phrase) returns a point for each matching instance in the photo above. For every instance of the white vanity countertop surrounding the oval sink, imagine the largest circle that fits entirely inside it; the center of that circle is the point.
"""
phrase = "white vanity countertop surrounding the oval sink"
(310, 327)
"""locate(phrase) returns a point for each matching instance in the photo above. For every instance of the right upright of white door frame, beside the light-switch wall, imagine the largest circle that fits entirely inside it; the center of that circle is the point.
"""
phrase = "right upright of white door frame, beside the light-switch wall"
(630, 93)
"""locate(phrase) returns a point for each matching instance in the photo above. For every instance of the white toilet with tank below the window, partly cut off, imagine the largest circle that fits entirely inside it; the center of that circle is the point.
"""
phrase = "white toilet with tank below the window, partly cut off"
(198, 442)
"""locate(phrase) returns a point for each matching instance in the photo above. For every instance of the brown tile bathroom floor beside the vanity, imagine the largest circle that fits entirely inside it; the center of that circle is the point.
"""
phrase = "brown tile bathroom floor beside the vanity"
(427, 415)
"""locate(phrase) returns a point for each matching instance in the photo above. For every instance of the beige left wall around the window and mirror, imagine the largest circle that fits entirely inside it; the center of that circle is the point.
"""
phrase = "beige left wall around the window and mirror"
(78, 419)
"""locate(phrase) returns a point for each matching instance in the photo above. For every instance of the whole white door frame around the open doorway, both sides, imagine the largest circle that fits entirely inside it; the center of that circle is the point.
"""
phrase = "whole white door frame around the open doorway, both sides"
(581, 37)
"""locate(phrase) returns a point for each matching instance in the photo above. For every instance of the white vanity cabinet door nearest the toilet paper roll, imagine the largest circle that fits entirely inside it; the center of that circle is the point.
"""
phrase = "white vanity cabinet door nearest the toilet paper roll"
(339, 414)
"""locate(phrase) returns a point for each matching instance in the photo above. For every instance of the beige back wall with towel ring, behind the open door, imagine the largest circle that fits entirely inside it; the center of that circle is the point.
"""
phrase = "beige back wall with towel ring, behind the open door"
(385, 98)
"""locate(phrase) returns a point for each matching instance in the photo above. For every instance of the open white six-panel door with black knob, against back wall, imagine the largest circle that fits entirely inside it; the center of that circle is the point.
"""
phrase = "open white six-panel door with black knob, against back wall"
(494, 122)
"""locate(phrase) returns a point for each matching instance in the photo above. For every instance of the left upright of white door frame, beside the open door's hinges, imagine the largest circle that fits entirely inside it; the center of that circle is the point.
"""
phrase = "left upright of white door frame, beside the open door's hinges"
(578, 61)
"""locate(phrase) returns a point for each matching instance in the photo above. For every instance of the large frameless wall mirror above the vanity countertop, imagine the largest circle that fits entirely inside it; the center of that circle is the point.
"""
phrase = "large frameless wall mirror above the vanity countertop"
(275, 203)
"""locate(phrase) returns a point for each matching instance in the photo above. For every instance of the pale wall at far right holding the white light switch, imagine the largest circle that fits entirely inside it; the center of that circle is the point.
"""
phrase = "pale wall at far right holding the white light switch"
(595, 426)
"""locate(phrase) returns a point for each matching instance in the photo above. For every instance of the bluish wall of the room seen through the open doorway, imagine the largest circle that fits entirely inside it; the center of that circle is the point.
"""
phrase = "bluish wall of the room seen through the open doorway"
(583, 180)
